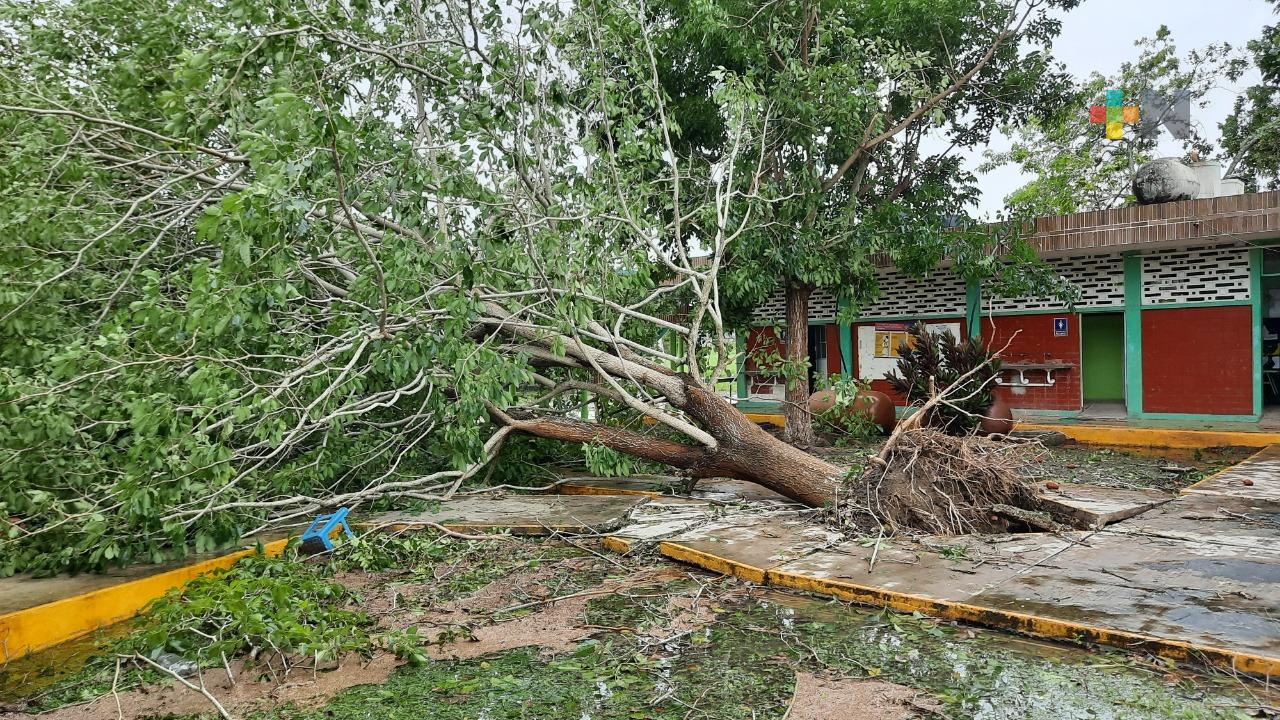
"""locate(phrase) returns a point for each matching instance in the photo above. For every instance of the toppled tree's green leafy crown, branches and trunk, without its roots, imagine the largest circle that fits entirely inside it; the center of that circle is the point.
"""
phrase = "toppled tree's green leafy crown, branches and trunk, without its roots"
(331, 258)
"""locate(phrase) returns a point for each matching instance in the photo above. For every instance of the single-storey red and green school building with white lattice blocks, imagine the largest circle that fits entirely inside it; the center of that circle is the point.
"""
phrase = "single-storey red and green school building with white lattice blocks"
(1180, 318)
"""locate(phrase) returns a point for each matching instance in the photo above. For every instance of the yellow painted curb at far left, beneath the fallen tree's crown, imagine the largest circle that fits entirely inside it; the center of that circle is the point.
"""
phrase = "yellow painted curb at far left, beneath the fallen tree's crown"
(53, 623)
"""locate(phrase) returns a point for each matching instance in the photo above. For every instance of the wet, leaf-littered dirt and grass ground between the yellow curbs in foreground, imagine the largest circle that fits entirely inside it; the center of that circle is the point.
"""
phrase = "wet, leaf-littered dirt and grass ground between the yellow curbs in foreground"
(638, 637)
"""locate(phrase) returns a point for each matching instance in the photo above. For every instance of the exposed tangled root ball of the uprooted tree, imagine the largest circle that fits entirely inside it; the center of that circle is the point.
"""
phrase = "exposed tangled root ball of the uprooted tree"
(927, 481)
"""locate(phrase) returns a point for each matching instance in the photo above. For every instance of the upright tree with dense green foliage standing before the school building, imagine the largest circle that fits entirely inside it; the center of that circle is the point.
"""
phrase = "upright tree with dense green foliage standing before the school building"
(870, 104)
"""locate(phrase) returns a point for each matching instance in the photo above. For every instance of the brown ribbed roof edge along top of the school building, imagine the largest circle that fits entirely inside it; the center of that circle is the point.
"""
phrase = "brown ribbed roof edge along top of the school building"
(1254, 216)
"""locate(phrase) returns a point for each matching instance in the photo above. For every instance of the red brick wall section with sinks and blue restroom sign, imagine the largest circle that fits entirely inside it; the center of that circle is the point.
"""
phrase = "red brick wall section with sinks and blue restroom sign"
(1035, 343)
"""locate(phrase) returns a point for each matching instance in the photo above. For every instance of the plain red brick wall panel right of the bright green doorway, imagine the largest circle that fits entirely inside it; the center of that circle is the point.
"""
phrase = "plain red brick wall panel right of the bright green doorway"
(1199, 361)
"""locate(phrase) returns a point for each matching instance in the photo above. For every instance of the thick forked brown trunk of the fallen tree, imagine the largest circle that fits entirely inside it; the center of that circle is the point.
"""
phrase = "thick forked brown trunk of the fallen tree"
(746, 452)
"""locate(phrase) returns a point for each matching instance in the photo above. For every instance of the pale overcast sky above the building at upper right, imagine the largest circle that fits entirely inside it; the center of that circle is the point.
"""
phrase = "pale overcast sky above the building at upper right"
(1099, 37)
